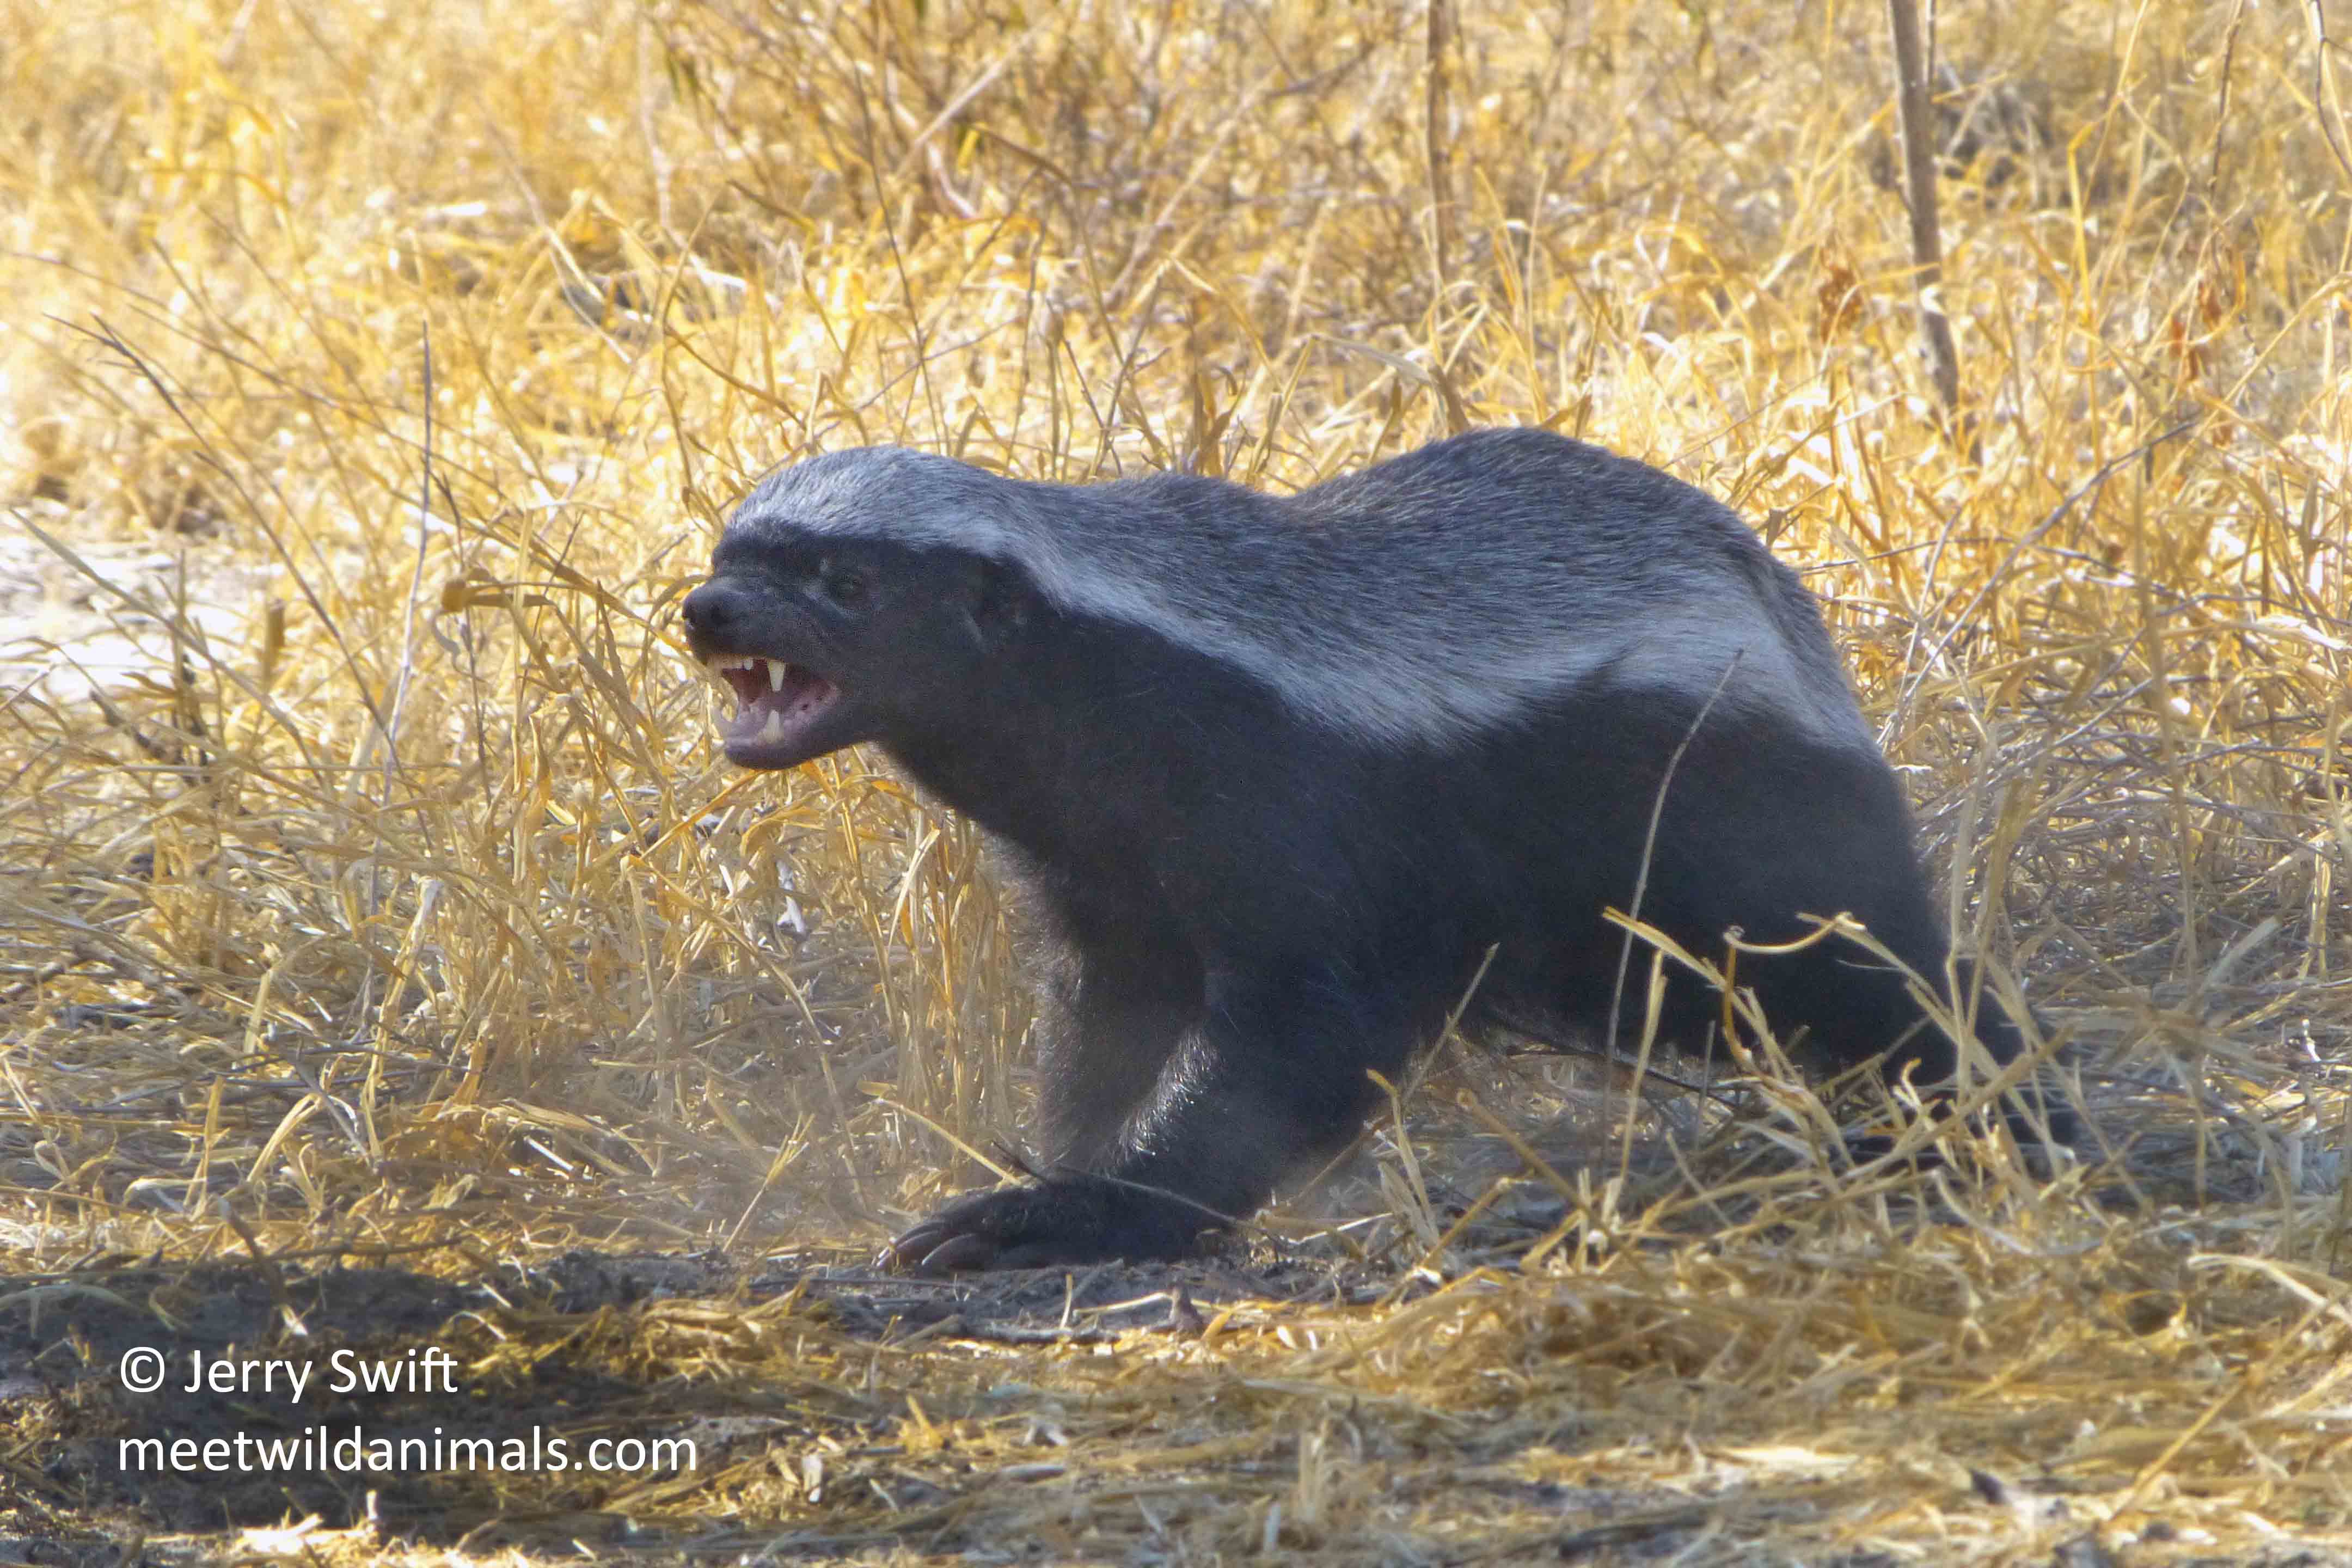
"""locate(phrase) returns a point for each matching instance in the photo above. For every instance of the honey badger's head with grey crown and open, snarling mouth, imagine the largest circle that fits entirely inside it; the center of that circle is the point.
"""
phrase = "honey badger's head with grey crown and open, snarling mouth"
(827, 629)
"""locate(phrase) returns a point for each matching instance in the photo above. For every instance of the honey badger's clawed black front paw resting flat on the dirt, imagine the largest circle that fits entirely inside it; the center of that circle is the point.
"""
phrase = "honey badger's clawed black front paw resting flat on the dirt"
(1060, 1221)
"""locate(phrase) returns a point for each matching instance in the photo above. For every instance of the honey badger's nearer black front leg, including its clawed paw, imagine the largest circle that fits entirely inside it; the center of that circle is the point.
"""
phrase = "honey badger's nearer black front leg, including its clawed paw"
(1271, 1078)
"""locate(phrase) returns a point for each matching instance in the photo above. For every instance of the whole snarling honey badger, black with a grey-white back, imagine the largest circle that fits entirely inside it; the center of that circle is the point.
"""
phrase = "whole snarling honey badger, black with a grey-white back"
(1283, 772)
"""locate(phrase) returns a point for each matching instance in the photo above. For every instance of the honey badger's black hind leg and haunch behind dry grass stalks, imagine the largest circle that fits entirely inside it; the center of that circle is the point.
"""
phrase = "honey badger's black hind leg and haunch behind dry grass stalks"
(1765, 831)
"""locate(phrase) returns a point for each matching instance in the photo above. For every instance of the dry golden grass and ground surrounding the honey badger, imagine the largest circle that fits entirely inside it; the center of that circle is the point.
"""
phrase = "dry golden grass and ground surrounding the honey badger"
(373, 382)
